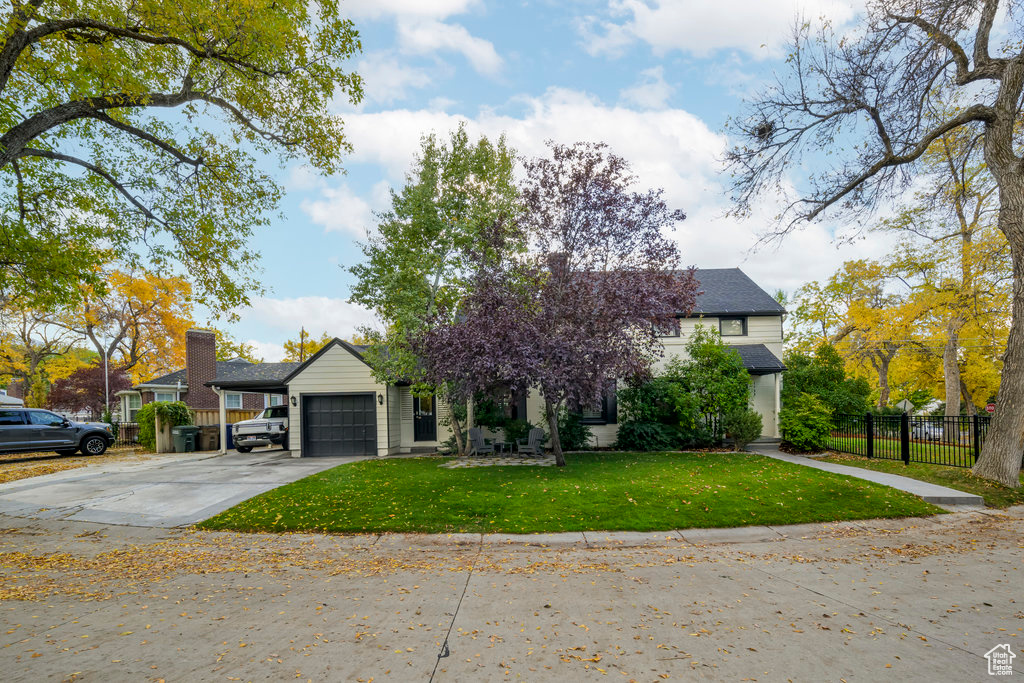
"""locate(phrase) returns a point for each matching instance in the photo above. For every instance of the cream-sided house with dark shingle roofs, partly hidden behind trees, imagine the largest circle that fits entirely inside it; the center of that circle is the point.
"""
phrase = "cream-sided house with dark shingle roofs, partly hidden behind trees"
(337, 408)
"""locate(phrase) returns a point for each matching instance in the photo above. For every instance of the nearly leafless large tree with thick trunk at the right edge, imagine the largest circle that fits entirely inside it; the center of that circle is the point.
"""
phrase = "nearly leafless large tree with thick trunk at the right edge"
(874, 100)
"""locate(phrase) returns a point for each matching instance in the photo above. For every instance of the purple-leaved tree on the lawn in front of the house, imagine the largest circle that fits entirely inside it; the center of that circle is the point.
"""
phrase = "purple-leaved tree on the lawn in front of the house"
(582, 310)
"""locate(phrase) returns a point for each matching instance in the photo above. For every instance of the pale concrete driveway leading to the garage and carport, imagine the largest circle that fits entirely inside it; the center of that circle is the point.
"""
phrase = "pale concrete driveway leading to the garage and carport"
(167, 492)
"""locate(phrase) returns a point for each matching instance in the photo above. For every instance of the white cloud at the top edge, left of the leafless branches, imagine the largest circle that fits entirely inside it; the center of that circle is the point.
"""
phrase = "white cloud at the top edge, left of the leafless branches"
(700, 28)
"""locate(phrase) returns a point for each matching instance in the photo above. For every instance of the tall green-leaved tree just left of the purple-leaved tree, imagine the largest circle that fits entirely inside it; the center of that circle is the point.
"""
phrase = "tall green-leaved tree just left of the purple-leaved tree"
(421, 260)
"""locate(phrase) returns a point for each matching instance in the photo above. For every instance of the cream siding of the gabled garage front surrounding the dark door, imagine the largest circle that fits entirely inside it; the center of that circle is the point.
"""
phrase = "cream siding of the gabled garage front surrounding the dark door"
(335, 372)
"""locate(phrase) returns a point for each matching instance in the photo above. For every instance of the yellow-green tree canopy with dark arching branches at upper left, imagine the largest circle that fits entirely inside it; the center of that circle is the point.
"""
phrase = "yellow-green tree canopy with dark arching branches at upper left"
(132, 131)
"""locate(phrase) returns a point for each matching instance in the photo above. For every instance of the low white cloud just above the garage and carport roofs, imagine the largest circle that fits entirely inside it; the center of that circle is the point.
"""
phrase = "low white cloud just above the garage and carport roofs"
(316, 314)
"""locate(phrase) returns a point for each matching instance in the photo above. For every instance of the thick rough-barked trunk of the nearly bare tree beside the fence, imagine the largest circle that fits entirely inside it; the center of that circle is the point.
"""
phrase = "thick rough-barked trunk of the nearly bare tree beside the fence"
(1001, 457)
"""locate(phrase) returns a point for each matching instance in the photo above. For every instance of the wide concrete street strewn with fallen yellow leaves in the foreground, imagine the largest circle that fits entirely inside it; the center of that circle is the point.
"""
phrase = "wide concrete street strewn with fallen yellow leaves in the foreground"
(921, 600)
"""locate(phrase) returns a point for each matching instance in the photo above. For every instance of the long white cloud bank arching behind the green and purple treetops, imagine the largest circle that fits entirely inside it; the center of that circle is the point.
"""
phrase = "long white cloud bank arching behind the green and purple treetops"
(670, 149)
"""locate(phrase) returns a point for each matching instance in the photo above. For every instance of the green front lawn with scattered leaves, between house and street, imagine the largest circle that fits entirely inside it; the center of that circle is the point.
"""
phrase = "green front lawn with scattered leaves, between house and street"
(608, 492)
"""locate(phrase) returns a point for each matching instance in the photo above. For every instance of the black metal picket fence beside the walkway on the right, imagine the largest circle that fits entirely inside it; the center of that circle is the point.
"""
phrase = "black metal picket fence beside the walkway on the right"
(955, 441)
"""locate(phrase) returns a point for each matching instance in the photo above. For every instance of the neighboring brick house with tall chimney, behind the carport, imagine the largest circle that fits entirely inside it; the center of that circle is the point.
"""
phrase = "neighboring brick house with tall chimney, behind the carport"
(190, 383)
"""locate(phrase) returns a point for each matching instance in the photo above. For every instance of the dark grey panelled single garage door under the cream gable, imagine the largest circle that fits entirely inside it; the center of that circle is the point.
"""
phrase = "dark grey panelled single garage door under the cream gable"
(339, 425)
